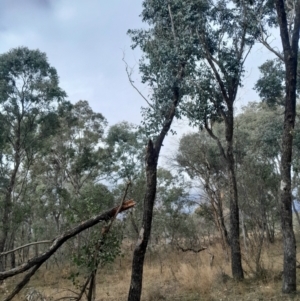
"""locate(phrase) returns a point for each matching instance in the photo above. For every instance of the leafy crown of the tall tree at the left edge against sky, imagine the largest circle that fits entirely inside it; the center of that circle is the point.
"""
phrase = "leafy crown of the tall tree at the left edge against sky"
(29, 92)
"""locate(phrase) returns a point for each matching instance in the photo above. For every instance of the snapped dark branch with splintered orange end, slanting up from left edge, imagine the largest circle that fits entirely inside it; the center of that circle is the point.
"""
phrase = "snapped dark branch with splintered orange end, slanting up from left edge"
(61, 239)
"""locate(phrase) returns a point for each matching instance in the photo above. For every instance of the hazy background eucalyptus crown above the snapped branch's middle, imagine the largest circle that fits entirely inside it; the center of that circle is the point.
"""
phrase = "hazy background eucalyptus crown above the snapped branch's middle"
(71, 159)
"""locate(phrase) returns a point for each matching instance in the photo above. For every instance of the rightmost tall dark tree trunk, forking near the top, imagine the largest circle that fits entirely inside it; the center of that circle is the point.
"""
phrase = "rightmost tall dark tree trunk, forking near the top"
(290, 51)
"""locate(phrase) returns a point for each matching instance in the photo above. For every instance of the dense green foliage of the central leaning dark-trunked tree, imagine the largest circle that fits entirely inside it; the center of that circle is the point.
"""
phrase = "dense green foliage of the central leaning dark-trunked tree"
(165, 57)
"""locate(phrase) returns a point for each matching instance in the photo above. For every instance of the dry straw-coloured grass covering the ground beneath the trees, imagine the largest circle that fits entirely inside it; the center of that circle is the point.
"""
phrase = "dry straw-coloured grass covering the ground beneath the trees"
(174, 275)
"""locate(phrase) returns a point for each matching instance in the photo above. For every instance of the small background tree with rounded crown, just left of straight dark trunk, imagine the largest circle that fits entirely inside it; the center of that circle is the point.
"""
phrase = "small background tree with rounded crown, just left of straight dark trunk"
(200, 157)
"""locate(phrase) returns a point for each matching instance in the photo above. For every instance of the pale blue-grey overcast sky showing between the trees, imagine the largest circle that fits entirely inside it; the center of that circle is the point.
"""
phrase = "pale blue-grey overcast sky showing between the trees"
(85, 41)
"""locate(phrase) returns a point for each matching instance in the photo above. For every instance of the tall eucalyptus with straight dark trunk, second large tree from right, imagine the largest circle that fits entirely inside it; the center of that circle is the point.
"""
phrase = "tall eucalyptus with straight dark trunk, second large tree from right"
(222, 36)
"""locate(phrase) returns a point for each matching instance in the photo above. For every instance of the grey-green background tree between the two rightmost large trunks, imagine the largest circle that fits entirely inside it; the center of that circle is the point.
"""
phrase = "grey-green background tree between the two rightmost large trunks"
(258, 130)
